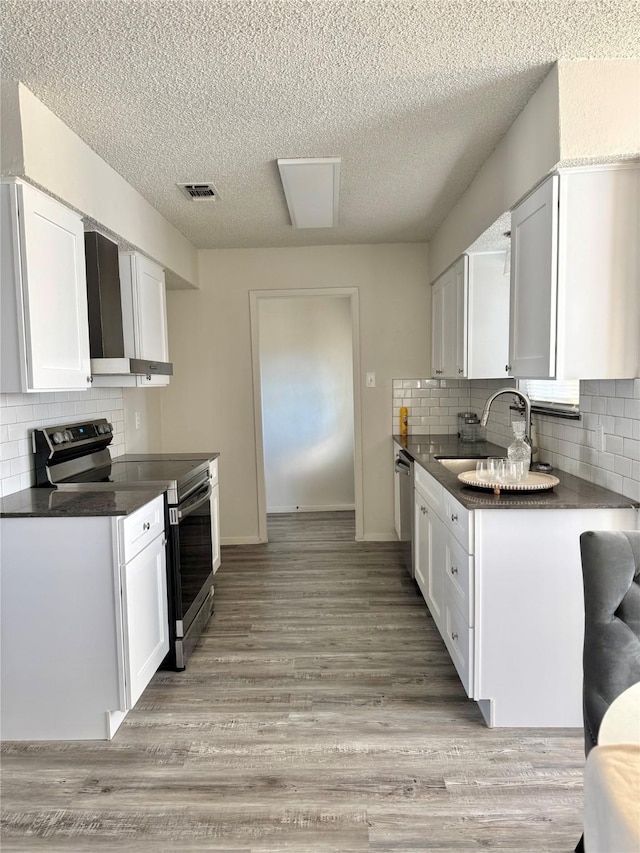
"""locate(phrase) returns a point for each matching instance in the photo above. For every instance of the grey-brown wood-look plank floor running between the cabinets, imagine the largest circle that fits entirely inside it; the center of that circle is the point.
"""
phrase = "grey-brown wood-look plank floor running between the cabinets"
(320, 714)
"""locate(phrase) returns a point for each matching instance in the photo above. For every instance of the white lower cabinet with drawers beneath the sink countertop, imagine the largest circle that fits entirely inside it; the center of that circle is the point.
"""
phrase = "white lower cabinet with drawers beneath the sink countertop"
(504, 587)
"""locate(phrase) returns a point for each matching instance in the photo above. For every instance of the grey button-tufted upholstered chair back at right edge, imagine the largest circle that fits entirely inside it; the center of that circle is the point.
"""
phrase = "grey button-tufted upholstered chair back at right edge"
(611, 661)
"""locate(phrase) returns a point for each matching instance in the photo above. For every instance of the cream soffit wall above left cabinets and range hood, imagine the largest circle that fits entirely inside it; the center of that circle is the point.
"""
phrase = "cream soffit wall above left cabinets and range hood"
(39, 147)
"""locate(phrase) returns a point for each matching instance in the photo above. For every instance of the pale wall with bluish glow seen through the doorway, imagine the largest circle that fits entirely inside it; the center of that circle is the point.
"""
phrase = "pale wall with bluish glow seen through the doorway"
(306, 373)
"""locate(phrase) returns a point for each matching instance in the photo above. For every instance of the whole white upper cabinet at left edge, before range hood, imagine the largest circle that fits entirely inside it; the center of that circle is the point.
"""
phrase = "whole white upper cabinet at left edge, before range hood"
(45, 332)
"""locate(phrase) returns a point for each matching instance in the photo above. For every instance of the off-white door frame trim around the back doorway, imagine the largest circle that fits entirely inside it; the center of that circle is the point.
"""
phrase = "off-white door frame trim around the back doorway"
(350, 293)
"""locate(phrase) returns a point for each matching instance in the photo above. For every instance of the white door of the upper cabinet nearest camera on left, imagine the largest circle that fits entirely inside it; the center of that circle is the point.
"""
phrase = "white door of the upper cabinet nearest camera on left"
(53, 292)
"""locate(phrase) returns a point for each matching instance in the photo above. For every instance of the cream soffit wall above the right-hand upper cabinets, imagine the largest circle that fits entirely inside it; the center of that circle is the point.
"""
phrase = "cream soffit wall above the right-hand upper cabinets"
(584, 111)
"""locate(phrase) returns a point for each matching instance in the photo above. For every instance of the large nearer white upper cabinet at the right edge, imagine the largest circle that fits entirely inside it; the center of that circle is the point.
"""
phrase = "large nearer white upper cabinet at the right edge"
(575, 277)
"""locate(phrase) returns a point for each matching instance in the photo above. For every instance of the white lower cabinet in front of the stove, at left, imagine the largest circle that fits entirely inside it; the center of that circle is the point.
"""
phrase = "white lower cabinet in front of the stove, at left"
(84, 621)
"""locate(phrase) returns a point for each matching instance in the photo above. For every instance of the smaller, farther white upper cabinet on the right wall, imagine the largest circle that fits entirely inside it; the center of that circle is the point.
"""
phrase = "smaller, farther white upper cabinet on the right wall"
(470, 318)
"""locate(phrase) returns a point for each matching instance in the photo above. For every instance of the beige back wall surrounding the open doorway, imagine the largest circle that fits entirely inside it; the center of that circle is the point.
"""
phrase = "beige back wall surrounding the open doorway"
(209, 403)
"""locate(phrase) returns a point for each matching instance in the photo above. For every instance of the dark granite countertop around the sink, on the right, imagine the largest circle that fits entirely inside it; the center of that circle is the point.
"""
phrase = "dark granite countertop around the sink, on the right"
(570, 493)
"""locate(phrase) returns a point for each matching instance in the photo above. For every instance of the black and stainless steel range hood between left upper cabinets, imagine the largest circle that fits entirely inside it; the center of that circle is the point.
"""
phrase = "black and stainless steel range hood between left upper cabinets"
(106, 337)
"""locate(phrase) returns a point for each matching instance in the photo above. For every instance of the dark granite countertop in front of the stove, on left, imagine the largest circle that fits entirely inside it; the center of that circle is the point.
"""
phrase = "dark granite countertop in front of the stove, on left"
(56, 503)
